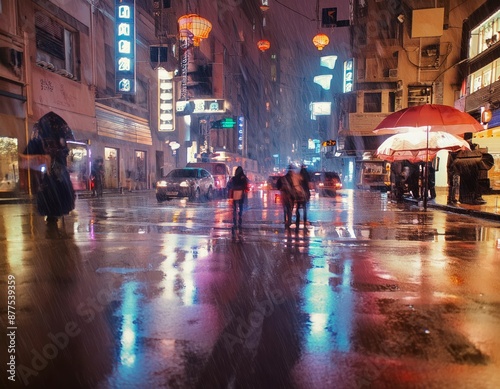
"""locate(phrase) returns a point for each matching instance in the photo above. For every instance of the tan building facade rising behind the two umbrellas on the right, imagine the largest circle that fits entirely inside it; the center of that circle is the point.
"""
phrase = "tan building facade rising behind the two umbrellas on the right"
(405, 53)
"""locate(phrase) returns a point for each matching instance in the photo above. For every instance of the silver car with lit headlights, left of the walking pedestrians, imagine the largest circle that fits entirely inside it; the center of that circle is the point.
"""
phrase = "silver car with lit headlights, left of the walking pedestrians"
(188, 182)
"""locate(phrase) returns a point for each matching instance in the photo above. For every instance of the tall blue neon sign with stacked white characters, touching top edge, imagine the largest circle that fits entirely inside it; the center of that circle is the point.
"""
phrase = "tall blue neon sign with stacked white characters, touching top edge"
(125, 46)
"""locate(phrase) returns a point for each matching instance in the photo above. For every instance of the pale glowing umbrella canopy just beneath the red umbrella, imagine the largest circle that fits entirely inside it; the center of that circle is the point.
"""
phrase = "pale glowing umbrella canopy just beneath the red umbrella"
(419, 146)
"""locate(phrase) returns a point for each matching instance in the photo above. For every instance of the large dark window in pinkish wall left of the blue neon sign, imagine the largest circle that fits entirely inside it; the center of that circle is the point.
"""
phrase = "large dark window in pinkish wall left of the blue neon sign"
(55, 45)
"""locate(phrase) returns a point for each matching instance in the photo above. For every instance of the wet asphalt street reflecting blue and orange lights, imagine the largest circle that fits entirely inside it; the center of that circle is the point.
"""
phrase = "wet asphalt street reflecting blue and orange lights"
(129, 293)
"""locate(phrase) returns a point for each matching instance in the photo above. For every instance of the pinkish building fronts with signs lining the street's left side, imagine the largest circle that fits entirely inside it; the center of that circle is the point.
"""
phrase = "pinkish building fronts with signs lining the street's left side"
(66, 57)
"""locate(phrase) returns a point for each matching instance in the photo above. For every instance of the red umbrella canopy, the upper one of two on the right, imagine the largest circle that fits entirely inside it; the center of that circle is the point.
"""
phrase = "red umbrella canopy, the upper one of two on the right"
(429, 117)
